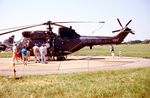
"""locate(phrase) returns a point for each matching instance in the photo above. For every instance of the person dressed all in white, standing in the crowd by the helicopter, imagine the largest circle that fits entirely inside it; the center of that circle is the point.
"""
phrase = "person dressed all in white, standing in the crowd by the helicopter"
(42, 50)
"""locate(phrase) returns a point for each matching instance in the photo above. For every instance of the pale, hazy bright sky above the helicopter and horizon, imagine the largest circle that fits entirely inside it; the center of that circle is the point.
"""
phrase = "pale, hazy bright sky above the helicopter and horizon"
(26, 12)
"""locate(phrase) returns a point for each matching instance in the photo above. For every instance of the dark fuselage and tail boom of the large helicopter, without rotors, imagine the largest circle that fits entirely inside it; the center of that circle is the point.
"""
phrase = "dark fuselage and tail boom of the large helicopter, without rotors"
(68, 41)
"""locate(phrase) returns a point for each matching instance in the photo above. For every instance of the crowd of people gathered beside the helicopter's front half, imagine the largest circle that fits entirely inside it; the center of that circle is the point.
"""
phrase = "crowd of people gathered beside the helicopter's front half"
(42, 53)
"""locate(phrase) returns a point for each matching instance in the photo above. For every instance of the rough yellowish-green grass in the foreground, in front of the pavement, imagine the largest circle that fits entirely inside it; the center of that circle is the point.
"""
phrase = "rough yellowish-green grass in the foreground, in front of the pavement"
(133, 83)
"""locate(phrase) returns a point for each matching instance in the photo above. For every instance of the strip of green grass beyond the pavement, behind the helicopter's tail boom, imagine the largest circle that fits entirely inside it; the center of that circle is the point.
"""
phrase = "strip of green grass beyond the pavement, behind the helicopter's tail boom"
(137, 50)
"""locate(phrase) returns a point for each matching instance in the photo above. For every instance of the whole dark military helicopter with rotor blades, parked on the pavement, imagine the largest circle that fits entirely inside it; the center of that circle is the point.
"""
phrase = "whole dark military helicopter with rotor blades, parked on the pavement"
(68, 40)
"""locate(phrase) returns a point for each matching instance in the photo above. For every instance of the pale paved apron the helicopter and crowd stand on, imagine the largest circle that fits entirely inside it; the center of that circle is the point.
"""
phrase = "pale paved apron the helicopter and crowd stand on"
(72, 64)
